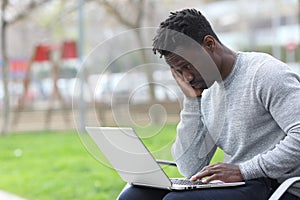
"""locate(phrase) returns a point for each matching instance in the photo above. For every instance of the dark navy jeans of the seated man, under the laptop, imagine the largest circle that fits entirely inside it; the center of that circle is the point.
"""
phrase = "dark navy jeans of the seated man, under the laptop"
(257, 189)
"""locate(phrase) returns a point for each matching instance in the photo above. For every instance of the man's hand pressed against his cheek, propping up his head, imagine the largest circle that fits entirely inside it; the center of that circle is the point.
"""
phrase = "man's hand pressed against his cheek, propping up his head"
(187, 90)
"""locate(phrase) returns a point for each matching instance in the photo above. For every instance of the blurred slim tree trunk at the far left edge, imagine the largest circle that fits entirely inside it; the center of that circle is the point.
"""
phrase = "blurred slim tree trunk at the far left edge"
(5, 72)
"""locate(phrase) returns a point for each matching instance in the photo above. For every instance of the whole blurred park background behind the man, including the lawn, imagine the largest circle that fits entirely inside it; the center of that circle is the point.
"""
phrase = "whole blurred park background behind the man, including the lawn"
(67, 64)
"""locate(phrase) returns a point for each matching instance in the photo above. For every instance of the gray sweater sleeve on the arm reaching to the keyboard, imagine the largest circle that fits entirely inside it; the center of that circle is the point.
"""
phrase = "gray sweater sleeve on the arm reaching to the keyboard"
(279, 92)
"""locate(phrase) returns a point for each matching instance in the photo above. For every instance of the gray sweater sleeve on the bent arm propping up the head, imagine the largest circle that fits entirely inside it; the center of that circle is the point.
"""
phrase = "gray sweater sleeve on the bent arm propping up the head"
(193, 148)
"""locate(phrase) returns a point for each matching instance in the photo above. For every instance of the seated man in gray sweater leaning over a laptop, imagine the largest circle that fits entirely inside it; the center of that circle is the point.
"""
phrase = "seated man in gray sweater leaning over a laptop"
(250, 109)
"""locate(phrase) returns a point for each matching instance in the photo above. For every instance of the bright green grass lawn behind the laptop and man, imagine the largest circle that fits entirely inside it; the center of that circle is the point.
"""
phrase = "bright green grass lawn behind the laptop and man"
(56, 165)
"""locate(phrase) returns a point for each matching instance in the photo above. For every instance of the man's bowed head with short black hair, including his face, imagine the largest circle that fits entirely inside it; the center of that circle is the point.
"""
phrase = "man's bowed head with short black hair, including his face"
(181, 39)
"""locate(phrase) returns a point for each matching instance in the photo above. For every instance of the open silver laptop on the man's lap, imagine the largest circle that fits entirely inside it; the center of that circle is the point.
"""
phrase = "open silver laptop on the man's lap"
(136, 165)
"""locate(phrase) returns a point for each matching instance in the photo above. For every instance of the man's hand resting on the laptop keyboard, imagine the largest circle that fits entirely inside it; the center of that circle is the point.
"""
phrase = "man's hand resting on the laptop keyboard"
(219, 171)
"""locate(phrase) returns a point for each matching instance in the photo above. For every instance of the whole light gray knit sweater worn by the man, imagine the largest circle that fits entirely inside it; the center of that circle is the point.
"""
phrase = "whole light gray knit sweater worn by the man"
(253, 115)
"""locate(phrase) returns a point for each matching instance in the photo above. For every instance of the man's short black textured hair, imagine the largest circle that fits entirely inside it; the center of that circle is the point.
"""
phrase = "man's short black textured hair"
(188, 22)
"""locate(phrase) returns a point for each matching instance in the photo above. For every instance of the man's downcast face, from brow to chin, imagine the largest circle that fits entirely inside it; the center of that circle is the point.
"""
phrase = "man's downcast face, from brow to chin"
(186, 70)
